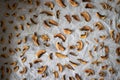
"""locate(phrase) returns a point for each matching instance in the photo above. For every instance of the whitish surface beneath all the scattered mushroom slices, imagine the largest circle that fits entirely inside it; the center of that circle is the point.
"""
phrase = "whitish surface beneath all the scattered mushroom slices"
(71, 39)
